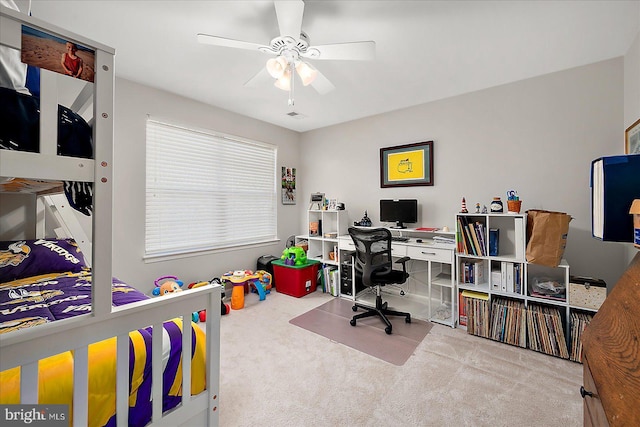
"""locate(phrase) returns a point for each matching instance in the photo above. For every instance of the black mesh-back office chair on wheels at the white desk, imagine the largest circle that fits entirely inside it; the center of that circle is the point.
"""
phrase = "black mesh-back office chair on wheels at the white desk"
(374, 264)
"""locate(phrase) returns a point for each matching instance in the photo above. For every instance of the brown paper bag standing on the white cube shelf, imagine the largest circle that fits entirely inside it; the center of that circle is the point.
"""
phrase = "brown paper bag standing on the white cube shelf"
(546, 236)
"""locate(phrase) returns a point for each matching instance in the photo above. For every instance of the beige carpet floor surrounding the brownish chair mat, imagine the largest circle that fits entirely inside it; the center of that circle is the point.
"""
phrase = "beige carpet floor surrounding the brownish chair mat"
(274, 373)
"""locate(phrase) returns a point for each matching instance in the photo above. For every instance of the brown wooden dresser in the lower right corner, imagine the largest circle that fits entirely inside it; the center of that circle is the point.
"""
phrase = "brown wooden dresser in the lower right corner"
(611, 345)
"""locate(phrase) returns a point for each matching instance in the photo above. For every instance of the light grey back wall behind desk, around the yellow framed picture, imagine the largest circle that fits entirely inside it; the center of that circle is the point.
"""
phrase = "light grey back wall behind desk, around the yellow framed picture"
(537, 136)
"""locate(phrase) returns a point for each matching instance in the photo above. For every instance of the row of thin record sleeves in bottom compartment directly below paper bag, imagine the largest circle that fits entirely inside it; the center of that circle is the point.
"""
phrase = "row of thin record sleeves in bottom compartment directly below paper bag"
(545, 331)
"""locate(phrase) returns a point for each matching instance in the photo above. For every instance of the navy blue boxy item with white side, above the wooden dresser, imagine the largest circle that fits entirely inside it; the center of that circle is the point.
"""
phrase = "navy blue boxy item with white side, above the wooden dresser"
(615, 182)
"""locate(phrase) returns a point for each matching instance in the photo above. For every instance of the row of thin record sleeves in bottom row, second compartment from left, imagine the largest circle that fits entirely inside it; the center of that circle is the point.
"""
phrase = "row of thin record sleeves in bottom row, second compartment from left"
(508, 322)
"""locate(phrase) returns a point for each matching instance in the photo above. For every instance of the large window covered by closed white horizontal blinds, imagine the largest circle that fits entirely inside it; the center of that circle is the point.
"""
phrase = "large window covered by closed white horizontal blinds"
(207, 191)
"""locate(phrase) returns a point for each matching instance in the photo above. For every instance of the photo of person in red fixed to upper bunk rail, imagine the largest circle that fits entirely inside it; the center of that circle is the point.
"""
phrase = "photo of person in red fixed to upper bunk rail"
(43, 50)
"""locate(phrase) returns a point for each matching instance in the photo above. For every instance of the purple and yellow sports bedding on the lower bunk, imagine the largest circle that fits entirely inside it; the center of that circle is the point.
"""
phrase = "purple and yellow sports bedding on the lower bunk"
(43, 281)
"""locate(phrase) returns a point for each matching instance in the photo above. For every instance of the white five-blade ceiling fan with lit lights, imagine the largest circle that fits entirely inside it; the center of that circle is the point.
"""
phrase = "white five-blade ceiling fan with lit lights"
(291, 48)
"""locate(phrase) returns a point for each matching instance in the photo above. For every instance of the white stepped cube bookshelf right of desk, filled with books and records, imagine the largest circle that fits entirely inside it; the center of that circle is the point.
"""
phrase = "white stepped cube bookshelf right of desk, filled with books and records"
(505, 298)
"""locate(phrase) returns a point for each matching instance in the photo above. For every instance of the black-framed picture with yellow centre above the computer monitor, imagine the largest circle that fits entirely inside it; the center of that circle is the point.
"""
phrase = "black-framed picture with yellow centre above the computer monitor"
(407, 165)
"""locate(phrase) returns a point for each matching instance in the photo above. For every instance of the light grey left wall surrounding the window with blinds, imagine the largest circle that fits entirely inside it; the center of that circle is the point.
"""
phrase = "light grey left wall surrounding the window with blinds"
(133, 102)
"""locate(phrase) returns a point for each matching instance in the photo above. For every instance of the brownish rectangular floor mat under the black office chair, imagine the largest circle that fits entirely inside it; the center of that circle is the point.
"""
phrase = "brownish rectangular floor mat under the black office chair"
(331, 320)
